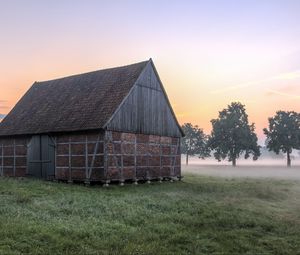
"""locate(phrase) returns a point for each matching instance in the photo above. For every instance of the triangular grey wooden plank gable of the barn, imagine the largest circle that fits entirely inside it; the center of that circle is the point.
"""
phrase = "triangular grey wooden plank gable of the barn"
(146, 109)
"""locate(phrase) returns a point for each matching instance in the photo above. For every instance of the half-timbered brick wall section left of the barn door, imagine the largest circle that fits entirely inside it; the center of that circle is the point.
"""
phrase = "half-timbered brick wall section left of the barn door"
(13, 157)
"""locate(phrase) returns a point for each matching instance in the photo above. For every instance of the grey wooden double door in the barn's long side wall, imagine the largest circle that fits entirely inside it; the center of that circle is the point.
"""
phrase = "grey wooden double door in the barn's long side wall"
(41, 157)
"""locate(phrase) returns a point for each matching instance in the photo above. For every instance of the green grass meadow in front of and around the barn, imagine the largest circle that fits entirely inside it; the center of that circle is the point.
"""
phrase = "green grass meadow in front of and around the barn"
(199, 215)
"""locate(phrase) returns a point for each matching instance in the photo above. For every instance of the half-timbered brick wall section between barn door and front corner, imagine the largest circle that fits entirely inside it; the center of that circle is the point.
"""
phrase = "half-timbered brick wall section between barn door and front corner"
(80, 157)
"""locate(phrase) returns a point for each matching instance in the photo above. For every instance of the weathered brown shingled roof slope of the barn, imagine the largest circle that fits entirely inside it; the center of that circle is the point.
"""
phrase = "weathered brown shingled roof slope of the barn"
(79, 102)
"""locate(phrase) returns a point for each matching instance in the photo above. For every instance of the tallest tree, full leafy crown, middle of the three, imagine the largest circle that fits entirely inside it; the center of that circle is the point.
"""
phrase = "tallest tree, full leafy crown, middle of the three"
(232, 135)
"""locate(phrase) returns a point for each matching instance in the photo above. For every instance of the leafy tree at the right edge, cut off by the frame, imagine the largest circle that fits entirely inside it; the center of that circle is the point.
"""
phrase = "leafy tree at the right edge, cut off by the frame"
(284, 133)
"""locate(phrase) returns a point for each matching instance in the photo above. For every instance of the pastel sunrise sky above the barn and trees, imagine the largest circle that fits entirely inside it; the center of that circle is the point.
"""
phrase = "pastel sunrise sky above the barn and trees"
(207, 53)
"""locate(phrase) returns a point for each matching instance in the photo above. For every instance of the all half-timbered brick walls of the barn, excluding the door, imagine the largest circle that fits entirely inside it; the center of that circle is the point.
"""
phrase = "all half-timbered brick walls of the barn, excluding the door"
(100, 156)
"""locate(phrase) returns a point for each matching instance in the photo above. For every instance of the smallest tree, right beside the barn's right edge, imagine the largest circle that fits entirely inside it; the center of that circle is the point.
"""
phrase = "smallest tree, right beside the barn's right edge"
(194, 142)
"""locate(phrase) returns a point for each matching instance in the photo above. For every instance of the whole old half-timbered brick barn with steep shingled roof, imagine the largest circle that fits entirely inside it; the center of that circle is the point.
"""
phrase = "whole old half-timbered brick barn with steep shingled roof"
(111, 125)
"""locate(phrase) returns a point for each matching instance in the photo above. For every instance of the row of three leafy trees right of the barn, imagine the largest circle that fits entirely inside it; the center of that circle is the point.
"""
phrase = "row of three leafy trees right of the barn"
(233, 136)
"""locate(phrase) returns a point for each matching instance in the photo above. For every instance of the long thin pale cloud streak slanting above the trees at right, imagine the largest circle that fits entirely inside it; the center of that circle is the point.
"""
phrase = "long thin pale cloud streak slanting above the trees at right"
(283, 76)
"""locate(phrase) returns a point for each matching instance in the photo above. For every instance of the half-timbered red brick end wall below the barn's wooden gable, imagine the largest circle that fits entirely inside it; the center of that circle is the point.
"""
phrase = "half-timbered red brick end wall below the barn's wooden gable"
(143, 157)
